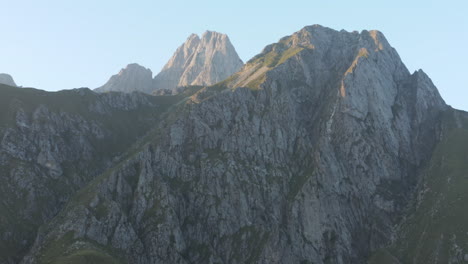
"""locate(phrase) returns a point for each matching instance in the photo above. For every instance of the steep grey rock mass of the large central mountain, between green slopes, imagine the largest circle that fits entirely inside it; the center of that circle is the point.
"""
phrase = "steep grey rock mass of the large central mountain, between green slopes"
(308, 155)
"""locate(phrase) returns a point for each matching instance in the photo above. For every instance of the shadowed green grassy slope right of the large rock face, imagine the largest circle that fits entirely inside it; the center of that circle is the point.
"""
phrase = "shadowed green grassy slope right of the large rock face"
(437, 230)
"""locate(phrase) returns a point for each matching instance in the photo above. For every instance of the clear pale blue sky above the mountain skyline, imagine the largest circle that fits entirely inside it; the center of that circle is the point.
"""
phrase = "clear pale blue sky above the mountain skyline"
(65, 44)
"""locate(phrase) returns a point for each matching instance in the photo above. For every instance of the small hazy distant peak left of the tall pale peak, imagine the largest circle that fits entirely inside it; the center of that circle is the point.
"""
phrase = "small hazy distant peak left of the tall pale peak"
(132, 78)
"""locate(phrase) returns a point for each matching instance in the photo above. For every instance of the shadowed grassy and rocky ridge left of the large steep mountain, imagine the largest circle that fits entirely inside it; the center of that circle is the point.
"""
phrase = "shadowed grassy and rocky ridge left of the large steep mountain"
(52, 144)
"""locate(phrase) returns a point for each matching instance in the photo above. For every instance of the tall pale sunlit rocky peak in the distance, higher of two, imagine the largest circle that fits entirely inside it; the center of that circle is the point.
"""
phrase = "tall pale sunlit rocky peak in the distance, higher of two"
(200, 61)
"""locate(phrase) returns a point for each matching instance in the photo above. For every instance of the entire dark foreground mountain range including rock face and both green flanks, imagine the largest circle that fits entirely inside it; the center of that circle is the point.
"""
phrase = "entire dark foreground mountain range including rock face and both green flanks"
(323, 148)
